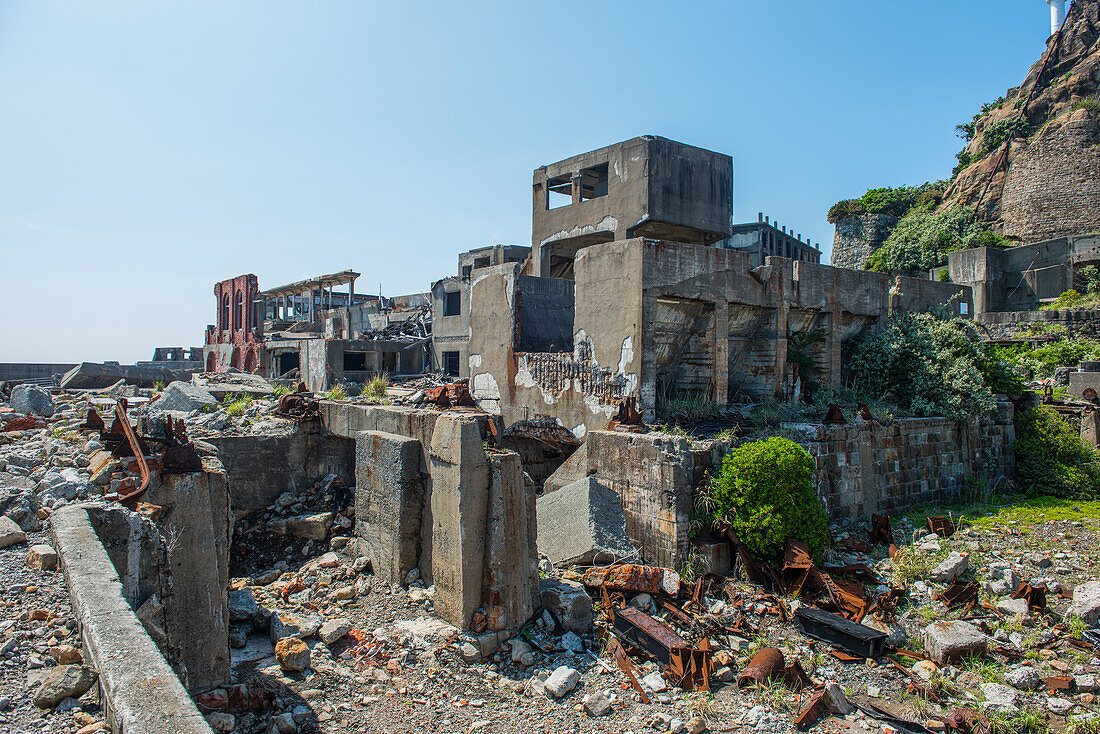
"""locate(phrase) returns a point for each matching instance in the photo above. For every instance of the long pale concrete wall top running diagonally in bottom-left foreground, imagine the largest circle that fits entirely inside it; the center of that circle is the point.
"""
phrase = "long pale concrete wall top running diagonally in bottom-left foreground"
(139, 692)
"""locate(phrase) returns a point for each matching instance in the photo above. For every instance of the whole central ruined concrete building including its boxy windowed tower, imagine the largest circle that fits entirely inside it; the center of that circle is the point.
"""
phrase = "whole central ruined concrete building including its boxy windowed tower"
(653, 311)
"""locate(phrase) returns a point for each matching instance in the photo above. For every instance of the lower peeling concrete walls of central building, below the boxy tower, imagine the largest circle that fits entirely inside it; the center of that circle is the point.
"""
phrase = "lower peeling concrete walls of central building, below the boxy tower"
(655, 320)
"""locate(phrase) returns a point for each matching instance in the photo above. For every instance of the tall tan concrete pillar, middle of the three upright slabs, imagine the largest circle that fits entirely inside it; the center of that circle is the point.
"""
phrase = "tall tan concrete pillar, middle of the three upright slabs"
(459, 501)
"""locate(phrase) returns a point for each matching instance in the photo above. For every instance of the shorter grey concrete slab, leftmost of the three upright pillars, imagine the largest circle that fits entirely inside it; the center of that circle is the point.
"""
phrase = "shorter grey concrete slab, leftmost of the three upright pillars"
(390, 497)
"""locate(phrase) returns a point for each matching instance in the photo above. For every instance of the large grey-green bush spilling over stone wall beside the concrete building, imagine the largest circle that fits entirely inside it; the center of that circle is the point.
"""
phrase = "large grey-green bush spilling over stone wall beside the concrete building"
(932, 365)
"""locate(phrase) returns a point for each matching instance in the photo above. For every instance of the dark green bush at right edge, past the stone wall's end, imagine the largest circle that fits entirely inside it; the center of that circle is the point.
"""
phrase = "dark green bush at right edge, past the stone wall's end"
(1052, 459)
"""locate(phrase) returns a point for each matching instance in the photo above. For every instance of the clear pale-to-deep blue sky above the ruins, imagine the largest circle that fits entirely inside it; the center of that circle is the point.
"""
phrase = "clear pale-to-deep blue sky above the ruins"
(151, 149)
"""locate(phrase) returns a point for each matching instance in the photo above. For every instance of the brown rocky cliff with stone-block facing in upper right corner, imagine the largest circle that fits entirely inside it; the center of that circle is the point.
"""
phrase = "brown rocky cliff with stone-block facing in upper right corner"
(1037, 162)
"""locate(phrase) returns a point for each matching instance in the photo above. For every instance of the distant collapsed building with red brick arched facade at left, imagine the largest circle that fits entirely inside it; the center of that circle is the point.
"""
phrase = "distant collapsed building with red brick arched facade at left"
(312, 332)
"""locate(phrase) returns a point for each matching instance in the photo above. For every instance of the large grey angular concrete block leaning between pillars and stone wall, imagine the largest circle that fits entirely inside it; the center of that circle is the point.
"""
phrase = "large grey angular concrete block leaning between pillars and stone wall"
(584, 523)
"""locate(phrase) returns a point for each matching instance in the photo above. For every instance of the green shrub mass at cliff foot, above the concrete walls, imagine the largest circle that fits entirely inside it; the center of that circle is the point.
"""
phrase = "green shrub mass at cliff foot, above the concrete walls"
(923, 238)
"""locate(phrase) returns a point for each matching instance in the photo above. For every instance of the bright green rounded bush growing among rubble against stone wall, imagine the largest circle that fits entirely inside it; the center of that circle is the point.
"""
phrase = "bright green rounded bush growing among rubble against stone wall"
(765, 491)
